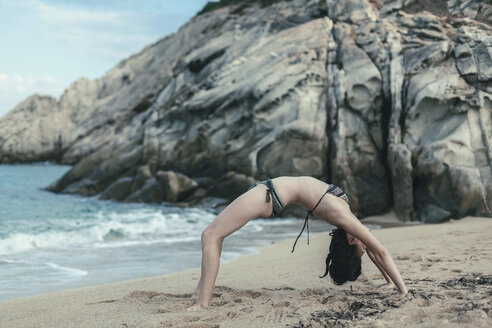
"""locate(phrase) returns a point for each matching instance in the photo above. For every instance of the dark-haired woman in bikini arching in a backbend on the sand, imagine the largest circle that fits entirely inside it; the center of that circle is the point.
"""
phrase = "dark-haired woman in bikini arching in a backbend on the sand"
(266, 199)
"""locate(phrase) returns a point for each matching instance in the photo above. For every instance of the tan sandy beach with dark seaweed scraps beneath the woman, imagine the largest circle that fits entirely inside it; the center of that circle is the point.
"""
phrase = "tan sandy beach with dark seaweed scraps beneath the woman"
(447, 269)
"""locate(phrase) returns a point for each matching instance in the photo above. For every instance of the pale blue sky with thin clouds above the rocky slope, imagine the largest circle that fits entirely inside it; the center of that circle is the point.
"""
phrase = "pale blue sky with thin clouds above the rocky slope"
(45, 45)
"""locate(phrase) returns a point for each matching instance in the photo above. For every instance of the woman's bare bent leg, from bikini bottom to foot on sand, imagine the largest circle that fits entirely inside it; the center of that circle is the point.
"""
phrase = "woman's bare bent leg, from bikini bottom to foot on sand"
(249, 205)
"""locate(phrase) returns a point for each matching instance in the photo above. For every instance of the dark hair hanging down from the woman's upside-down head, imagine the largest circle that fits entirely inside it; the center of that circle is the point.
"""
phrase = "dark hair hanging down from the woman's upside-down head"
(342, 261)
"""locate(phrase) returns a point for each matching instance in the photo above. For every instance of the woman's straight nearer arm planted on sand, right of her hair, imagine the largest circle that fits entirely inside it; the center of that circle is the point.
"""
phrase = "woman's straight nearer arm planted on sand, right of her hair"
(380, 255)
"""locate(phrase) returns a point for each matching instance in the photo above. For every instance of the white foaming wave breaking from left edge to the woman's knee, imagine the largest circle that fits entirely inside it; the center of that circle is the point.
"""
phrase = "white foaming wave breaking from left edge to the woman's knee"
(113, 230)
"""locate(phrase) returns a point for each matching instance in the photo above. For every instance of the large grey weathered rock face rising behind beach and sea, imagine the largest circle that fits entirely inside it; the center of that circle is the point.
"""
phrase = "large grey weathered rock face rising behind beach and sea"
(392, 103)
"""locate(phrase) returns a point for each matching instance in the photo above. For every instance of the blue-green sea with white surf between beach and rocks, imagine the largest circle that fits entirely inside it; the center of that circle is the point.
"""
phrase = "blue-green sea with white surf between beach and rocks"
(51, 242)
